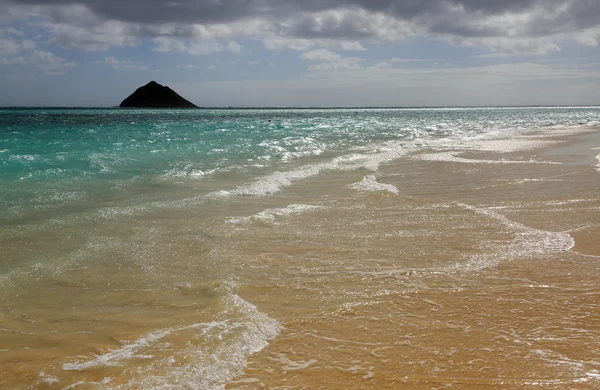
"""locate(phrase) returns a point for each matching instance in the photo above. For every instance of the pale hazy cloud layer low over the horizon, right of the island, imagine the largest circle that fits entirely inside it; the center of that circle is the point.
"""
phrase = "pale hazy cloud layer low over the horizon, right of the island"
(506, 84)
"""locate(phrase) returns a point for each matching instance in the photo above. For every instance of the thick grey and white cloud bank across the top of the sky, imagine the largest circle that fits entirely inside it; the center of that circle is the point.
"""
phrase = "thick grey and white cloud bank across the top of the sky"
(200, 27)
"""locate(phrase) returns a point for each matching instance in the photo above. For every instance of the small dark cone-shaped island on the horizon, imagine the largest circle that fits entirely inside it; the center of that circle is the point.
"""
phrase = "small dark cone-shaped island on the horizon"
(154, 95)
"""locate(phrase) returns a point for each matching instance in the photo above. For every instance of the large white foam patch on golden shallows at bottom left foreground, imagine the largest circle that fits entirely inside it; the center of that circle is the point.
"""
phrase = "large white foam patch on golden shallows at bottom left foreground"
(235, 341)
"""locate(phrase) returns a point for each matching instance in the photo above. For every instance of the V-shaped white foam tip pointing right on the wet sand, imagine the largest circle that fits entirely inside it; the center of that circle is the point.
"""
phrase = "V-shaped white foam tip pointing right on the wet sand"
(527, 242)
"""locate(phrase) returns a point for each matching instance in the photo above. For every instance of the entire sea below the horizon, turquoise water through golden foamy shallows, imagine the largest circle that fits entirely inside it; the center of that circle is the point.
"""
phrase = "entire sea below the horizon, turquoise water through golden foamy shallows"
(297, 248)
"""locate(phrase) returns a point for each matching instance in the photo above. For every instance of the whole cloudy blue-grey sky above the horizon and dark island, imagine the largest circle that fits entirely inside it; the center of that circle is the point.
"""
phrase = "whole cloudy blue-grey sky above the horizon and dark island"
(219, 53)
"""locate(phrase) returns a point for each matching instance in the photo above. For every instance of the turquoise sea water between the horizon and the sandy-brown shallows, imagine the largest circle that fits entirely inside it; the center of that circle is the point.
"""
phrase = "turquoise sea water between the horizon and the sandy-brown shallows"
(53, 159)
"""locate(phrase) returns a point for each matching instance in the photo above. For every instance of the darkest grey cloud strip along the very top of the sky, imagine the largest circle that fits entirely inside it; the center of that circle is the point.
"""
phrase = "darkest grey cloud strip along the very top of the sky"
(215, 11)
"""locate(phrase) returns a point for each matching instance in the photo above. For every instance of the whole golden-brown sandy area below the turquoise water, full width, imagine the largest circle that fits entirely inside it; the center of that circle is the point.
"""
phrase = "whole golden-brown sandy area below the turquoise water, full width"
(473, 267)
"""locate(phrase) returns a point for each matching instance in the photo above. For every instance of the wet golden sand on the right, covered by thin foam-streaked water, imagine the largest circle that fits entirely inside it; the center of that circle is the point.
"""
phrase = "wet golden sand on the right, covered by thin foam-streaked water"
(472, 275)
